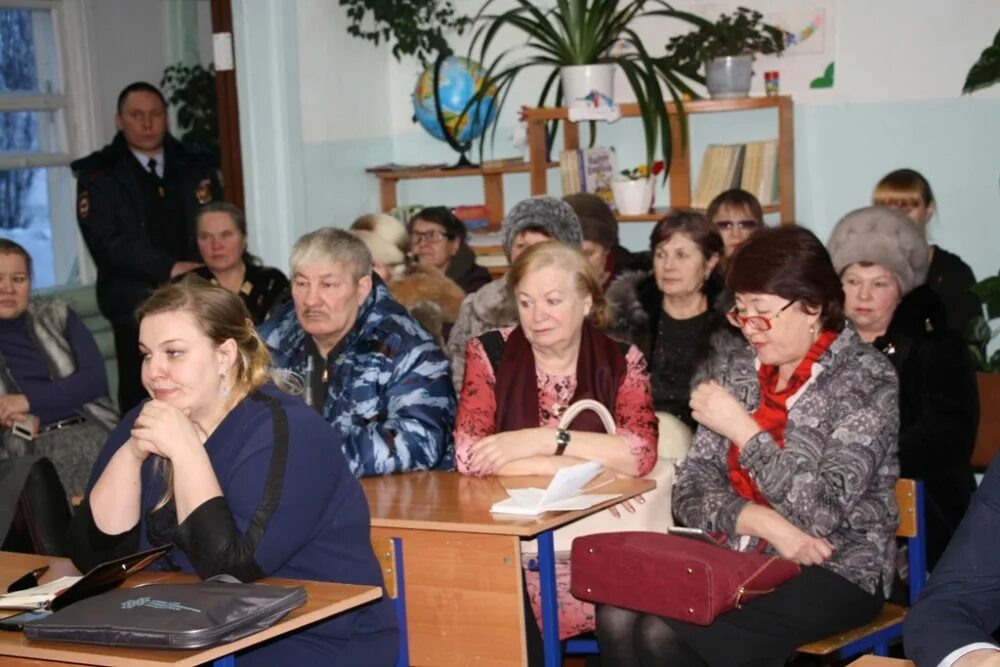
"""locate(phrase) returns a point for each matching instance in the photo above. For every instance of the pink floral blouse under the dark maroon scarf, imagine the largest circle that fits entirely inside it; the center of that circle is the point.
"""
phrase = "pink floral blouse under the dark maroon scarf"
(633, 410)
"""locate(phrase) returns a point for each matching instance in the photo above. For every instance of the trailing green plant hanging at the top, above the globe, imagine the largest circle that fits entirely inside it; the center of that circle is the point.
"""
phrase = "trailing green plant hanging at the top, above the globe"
(413, 27)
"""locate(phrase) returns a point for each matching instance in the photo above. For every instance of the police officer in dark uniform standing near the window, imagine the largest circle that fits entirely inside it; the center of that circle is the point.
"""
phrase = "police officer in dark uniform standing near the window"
(137, 200)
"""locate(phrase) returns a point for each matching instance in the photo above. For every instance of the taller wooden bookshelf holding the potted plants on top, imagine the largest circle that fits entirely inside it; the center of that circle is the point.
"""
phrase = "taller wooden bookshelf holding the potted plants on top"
(680, 169)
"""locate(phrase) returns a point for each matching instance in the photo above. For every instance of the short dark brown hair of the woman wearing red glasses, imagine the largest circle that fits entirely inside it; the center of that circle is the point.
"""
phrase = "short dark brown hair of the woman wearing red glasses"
(790, 262)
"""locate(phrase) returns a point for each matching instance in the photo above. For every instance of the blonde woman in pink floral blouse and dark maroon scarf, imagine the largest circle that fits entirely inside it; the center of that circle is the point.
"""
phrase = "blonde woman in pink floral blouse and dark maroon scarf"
(520, 380)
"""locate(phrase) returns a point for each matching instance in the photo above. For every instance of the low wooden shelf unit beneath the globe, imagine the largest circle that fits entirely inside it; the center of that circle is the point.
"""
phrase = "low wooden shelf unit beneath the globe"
(492, 177)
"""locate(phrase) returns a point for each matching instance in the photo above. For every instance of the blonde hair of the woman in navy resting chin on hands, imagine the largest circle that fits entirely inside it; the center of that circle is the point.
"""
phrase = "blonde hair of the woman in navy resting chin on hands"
(221, 316)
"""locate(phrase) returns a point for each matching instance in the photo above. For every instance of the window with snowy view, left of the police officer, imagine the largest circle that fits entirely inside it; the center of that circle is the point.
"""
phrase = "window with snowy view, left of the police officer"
(36, 196)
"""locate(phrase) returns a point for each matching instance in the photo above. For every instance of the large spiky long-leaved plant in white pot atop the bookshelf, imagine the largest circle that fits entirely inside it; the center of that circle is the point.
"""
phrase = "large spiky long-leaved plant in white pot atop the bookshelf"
(584, 32)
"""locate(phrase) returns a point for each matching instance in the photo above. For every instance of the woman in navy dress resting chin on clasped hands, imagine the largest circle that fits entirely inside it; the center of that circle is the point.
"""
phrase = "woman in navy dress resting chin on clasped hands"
(207, 465)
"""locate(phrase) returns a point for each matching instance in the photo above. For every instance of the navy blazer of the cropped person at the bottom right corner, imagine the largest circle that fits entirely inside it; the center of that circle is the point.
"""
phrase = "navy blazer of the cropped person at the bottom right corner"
(961, 604)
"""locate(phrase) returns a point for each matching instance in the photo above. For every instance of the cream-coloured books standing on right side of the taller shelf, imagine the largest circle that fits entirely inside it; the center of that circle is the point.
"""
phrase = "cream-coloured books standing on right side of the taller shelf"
(752, 167)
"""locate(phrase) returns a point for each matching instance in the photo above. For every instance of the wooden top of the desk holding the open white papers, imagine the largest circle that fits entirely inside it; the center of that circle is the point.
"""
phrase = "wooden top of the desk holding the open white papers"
(452, 502)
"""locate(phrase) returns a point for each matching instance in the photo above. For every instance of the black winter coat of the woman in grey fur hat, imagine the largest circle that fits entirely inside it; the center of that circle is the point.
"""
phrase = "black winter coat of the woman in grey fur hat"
(938, 410)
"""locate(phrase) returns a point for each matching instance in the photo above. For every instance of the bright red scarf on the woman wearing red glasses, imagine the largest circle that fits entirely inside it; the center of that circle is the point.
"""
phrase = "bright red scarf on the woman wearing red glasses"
(772, 413)
